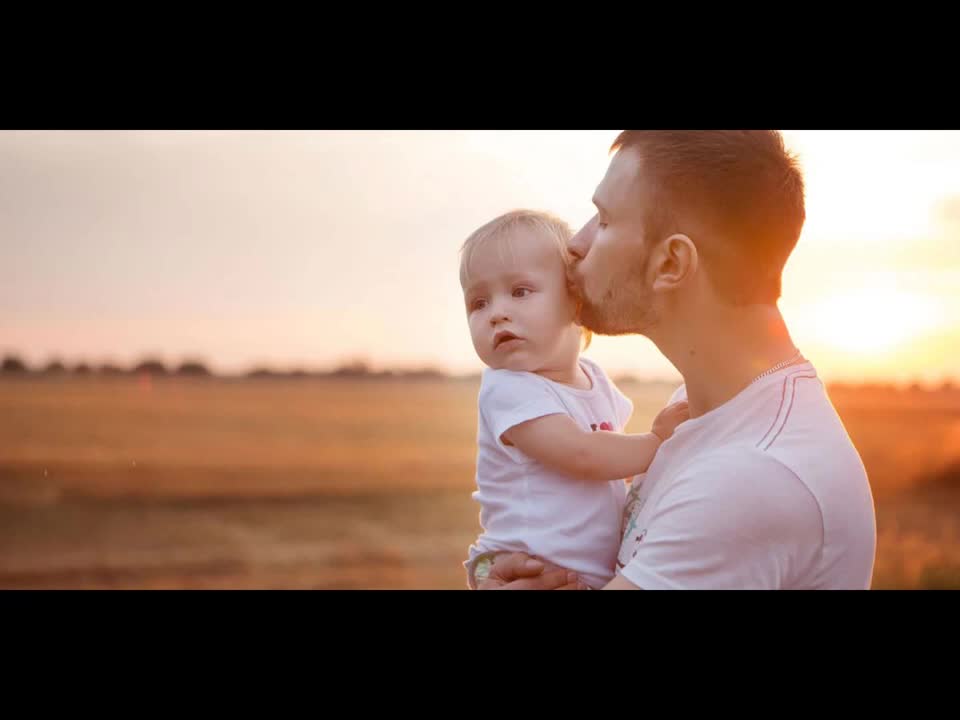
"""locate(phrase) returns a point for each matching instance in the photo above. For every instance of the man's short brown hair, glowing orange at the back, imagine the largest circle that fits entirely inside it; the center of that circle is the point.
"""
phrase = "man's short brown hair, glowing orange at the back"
(741, 187)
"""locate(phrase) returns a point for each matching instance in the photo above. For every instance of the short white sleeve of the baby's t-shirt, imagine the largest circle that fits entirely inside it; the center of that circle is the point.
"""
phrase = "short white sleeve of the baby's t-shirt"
(508, 398)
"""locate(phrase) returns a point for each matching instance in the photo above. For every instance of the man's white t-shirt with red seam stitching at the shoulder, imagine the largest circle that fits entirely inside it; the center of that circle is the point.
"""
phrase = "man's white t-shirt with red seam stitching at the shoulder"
(764, 492)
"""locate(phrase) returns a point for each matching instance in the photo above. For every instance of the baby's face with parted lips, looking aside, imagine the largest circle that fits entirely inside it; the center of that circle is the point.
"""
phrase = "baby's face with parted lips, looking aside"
(520, 314)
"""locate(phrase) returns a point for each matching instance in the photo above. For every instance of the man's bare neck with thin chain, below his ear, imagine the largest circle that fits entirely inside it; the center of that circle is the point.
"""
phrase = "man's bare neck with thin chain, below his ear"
(721, 355)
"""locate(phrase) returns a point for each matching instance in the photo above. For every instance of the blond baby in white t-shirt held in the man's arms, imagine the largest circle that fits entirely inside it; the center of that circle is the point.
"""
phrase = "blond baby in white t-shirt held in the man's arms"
(552, 456)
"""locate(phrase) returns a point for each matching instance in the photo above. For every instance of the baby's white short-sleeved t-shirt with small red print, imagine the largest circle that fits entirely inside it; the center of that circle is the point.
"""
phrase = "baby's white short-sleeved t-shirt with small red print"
(530, 508)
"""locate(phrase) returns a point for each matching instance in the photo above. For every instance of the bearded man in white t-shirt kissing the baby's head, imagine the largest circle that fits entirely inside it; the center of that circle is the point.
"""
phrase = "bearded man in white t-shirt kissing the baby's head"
(762, 487)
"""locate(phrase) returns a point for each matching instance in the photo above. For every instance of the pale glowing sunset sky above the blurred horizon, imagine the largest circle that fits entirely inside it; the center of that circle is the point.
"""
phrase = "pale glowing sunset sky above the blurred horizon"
(309, 249)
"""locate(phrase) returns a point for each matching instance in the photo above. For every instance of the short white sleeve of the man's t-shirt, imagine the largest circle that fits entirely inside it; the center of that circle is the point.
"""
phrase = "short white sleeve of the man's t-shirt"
(744, 522)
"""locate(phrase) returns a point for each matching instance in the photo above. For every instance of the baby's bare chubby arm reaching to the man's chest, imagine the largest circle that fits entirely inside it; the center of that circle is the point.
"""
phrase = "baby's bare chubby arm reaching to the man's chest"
(559, 443)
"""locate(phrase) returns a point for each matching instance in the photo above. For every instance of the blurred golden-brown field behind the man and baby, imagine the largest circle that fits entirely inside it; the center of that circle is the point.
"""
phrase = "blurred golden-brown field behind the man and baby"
(316, 483)
